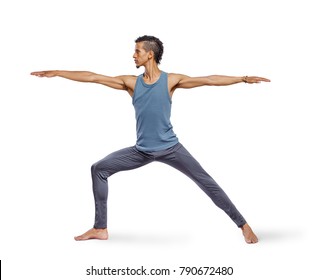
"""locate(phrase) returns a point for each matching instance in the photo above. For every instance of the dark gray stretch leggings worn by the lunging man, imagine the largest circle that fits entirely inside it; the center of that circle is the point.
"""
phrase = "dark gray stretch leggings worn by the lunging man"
(177, 157)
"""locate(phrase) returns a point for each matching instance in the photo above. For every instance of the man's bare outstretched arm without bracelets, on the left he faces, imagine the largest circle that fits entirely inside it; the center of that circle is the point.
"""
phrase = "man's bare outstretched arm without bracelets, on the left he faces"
(120, 82)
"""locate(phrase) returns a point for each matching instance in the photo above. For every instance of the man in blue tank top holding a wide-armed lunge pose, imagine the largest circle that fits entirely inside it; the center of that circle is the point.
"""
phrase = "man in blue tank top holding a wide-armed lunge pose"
(151, 93)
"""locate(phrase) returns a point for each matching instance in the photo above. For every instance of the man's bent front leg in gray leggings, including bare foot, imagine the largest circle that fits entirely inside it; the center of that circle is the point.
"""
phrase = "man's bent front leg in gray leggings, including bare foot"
(125, 159)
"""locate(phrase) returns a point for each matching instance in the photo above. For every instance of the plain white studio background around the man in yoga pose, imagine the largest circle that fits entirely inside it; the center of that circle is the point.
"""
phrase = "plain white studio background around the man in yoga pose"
(259, 142)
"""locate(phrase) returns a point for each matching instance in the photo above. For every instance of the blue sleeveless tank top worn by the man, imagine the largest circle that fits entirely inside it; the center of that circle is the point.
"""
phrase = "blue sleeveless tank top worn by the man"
(152, 104)
